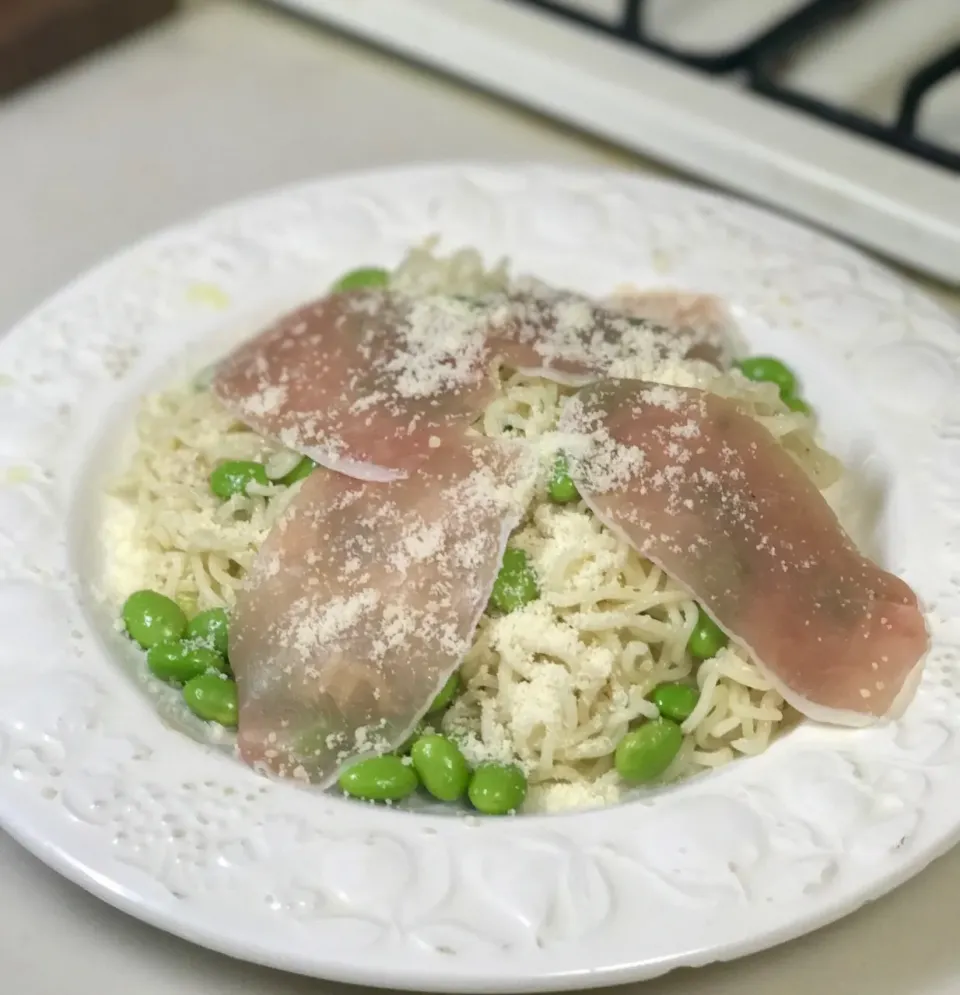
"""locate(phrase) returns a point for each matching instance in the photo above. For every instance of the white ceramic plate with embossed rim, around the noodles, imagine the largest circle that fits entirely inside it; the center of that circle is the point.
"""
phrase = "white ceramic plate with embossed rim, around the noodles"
(94, 783)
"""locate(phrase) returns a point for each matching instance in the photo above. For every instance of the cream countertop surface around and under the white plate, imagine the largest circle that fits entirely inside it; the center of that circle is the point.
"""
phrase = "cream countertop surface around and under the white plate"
(222, 102)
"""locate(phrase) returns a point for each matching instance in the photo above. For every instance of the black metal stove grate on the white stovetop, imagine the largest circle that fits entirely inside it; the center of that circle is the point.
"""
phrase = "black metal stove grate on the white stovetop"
(758, 59)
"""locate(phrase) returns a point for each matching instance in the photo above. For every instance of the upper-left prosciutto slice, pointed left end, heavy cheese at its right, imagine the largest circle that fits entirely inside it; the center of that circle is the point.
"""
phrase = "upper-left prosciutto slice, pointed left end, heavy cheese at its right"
(361, 382)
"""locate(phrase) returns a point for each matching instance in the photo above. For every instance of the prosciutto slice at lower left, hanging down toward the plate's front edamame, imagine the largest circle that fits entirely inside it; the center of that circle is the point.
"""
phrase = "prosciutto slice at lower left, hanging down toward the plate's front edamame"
(364, 599)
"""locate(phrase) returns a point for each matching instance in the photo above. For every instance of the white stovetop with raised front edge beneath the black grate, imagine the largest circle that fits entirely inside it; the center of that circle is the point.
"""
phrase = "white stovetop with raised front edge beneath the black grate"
(716, 129)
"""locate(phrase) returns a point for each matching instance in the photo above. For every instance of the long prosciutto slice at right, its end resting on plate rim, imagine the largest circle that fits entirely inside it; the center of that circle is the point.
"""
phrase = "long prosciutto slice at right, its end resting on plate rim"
(706, 493)
